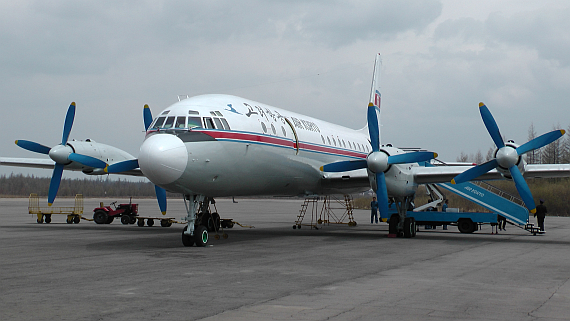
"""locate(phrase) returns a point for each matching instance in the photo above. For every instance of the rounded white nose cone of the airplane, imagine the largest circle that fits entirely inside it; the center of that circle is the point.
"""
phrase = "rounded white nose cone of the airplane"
(163, 158)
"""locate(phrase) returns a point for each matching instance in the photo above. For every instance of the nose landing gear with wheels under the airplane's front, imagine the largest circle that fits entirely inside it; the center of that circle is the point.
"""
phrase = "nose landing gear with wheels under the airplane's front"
(202, 219)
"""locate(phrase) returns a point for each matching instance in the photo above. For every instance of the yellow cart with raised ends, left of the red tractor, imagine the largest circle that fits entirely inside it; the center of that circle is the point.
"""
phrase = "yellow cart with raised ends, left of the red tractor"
(44, 213)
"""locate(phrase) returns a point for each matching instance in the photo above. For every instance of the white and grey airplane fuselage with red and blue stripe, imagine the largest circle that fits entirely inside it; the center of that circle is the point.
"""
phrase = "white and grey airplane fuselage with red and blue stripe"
(221, 145)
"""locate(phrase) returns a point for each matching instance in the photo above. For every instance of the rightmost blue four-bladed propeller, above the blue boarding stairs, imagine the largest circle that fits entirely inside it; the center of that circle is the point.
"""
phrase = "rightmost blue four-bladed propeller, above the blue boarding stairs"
(507, 157)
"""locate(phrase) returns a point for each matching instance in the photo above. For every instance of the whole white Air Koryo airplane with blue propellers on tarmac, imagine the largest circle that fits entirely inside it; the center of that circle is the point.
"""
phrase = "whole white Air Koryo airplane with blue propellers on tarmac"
(215, 145)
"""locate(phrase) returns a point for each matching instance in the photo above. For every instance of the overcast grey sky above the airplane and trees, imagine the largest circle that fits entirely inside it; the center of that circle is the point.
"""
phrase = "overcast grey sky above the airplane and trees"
(440, 59)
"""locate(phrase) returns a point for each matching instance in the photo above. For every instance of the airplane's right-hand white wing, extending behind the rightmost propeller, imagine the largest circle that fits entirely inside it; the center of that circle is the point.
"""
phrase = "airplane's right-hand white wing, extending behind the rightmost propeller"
(444, 174)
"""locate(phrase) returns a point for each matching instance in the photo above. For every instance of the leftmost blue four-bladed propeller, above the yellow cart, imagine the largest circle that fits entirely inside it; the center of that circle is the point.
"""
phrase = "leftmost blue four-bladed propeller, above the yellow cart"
(62, 154)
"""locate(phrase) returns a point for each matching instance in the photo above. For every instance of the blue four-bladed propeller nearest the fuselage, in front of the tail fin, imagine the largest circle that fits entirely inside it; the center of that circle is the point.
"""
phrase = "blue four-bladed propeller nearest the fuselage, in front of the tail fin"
(378, 162)
